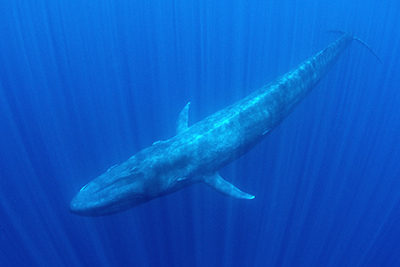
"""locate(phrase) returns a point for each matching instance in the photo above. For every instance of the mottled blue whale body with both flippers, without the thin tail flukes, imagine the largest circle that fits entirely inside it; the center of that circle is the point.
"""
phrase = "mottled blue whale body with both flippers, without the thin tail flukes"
(196, 153)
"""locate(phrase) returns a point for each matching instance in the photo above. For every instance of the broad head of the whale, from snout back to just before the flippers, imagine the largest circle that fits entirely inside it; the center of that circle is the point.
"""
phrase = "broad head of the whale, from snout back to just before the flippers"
(151, 173)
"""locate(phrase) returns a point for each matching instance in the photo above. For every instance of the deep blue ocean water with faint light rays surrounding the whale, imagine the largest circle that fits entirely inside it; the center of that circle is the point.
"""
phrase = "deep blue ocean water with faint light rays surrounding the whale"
(84, 85)
